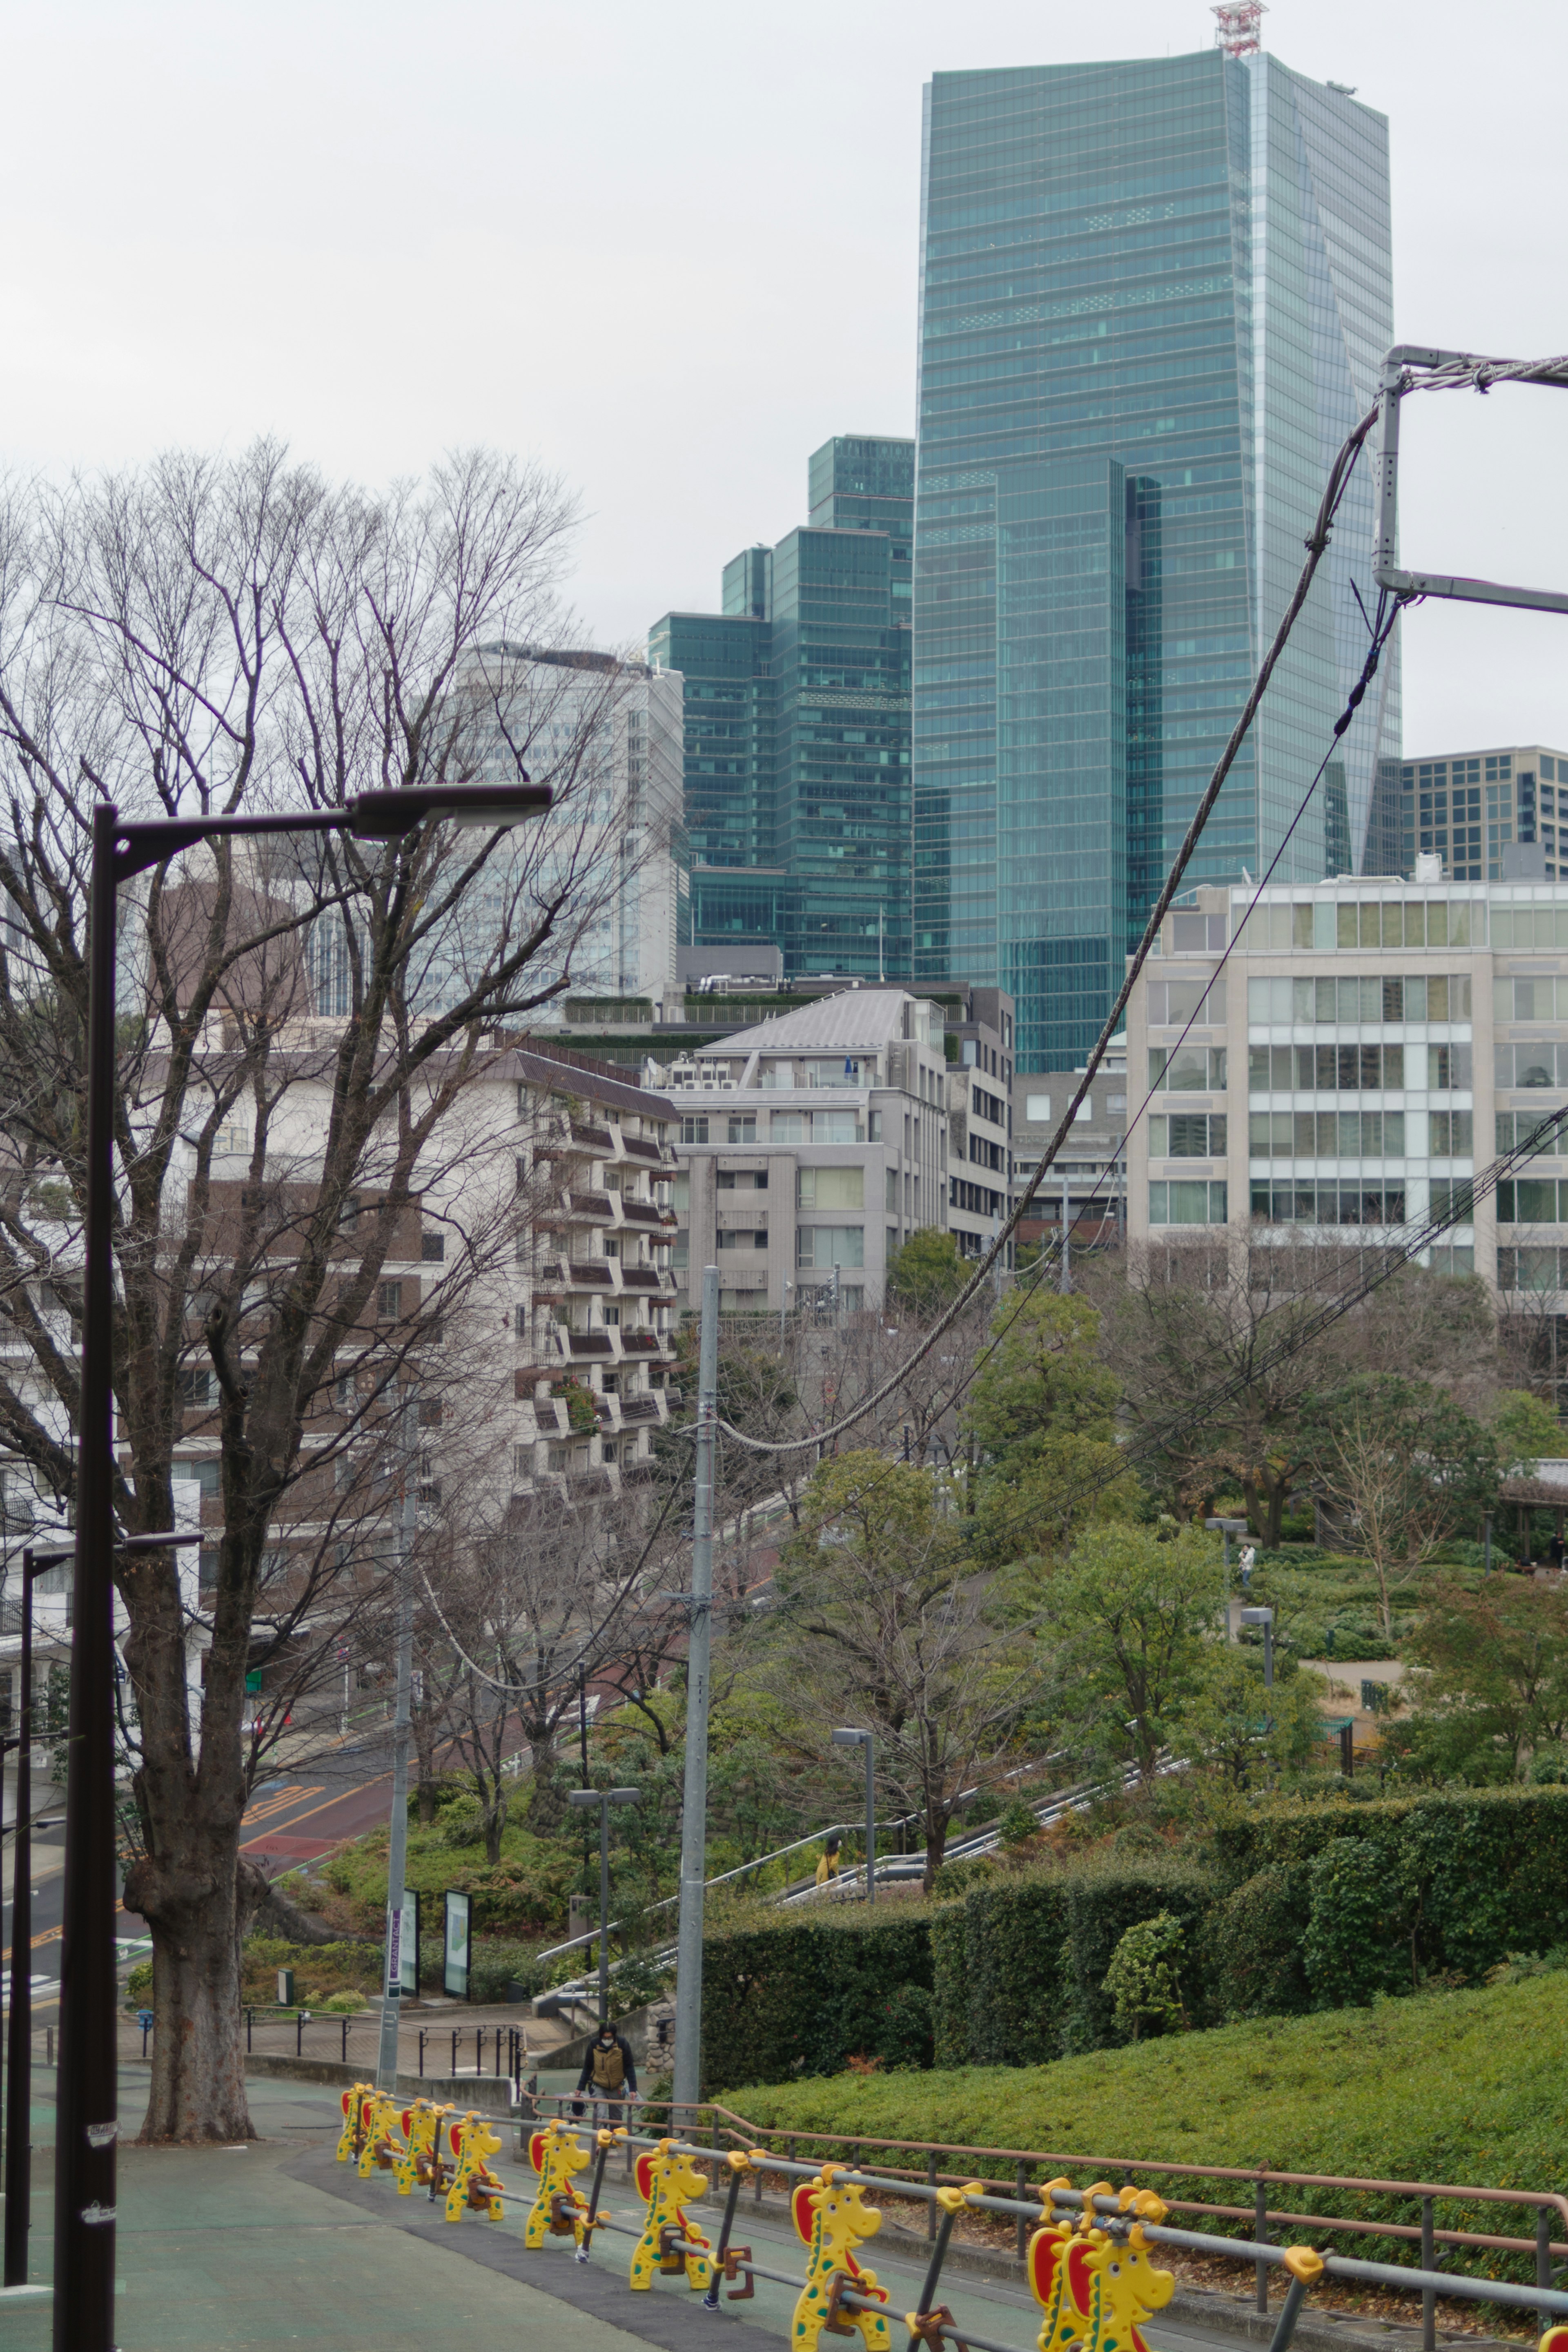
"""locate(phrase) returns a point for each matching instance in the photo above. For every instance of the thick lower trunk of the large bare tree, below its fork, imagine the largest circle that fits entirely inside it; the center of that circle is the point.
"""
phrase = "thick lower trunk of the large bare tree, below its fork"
(199, 1918)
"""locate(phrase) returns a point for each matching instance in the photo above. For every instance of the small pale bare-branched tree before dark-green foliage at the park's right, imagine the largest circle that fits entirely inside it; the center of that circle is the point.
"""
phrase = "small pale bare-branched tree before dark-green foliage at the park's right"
(1407, 1469)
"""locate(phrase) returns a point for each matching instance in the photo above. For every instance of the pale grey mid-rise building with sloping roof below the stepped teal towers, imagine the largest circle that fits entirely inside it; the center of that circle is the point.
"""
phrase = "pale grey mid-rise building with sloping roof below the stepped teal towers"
(810, 1149)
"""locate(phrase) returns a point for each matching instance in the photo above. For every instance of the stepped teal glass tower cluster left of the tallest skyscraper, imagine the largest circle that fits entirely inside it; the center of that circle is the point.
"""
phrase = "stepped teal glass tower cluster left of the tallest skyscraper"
(798, 726)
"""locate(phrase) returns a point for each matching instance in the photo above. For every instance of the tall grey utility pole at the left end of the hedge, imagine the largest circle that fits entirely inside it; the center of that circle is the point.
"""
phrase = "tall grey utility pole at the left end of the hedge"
(695, 1805)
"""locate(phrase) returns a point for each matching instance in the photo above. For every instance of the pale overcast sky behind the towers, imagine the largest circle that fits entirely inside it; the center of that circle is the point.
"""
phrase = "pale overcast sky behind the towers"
(674, 250)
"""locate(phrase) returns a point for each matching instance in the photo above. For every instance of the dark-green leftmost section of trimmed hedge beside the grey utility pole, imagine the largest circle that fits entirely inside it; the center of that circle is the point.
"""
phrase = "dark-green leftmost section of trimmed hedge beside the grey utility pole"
(803, 1998)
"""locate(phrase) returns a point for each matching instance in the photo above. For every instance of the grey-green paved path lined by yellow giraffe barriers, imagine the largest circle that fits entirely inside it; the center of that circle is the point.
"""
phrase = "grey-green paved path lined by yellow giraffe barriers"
(279, 2245)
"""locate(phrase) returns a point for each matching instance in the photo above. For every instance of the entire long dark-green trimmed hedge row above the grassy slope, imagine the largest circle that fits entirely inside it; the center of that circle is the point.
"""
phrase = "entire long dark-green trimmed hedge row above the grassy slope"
(1311, 1906)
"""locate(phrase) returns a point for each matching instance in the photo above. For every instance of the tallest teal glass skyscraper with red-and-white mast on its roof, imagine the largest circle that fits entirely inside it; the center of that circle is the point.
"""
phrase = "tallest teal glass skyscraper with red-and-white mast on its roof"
(1153, 305)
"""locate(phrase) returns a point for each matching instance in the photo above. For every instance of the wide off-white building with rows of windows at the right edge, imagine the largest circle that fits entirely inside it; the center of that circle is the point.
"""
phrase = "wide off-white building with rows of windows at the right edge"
(1365, 1053)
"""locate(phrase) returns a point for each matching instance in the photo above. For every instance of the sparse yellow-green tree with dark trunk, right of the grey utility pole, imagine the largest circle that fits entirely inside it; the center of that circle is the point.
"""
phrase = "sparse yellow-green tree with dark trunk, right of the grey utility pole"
(885, 1624)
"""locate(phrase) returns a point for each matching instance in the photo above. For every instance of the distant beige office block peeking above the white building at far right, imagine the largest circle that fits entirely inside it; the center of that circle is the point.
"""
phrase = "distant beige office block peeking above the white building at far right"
(1475, 808)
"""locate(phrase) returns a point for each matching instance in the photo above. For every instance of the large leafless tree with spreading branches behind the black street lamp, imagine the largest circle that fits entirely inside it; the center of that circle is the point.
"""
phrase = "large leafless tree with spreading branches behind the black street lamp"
(297, 1043)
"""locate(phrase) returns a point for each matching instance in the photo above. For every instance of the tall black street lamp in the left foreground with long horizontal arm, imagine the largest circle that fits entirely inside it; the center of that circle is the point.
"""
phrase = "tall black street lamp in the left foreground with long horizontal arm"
(88, 2090)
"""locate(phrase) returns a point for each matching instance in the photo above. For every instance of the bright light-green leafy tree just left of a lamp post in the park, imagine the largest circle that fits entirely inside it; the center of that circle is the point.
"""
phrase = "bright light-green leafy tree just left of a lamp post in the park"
(1125, 1633)
